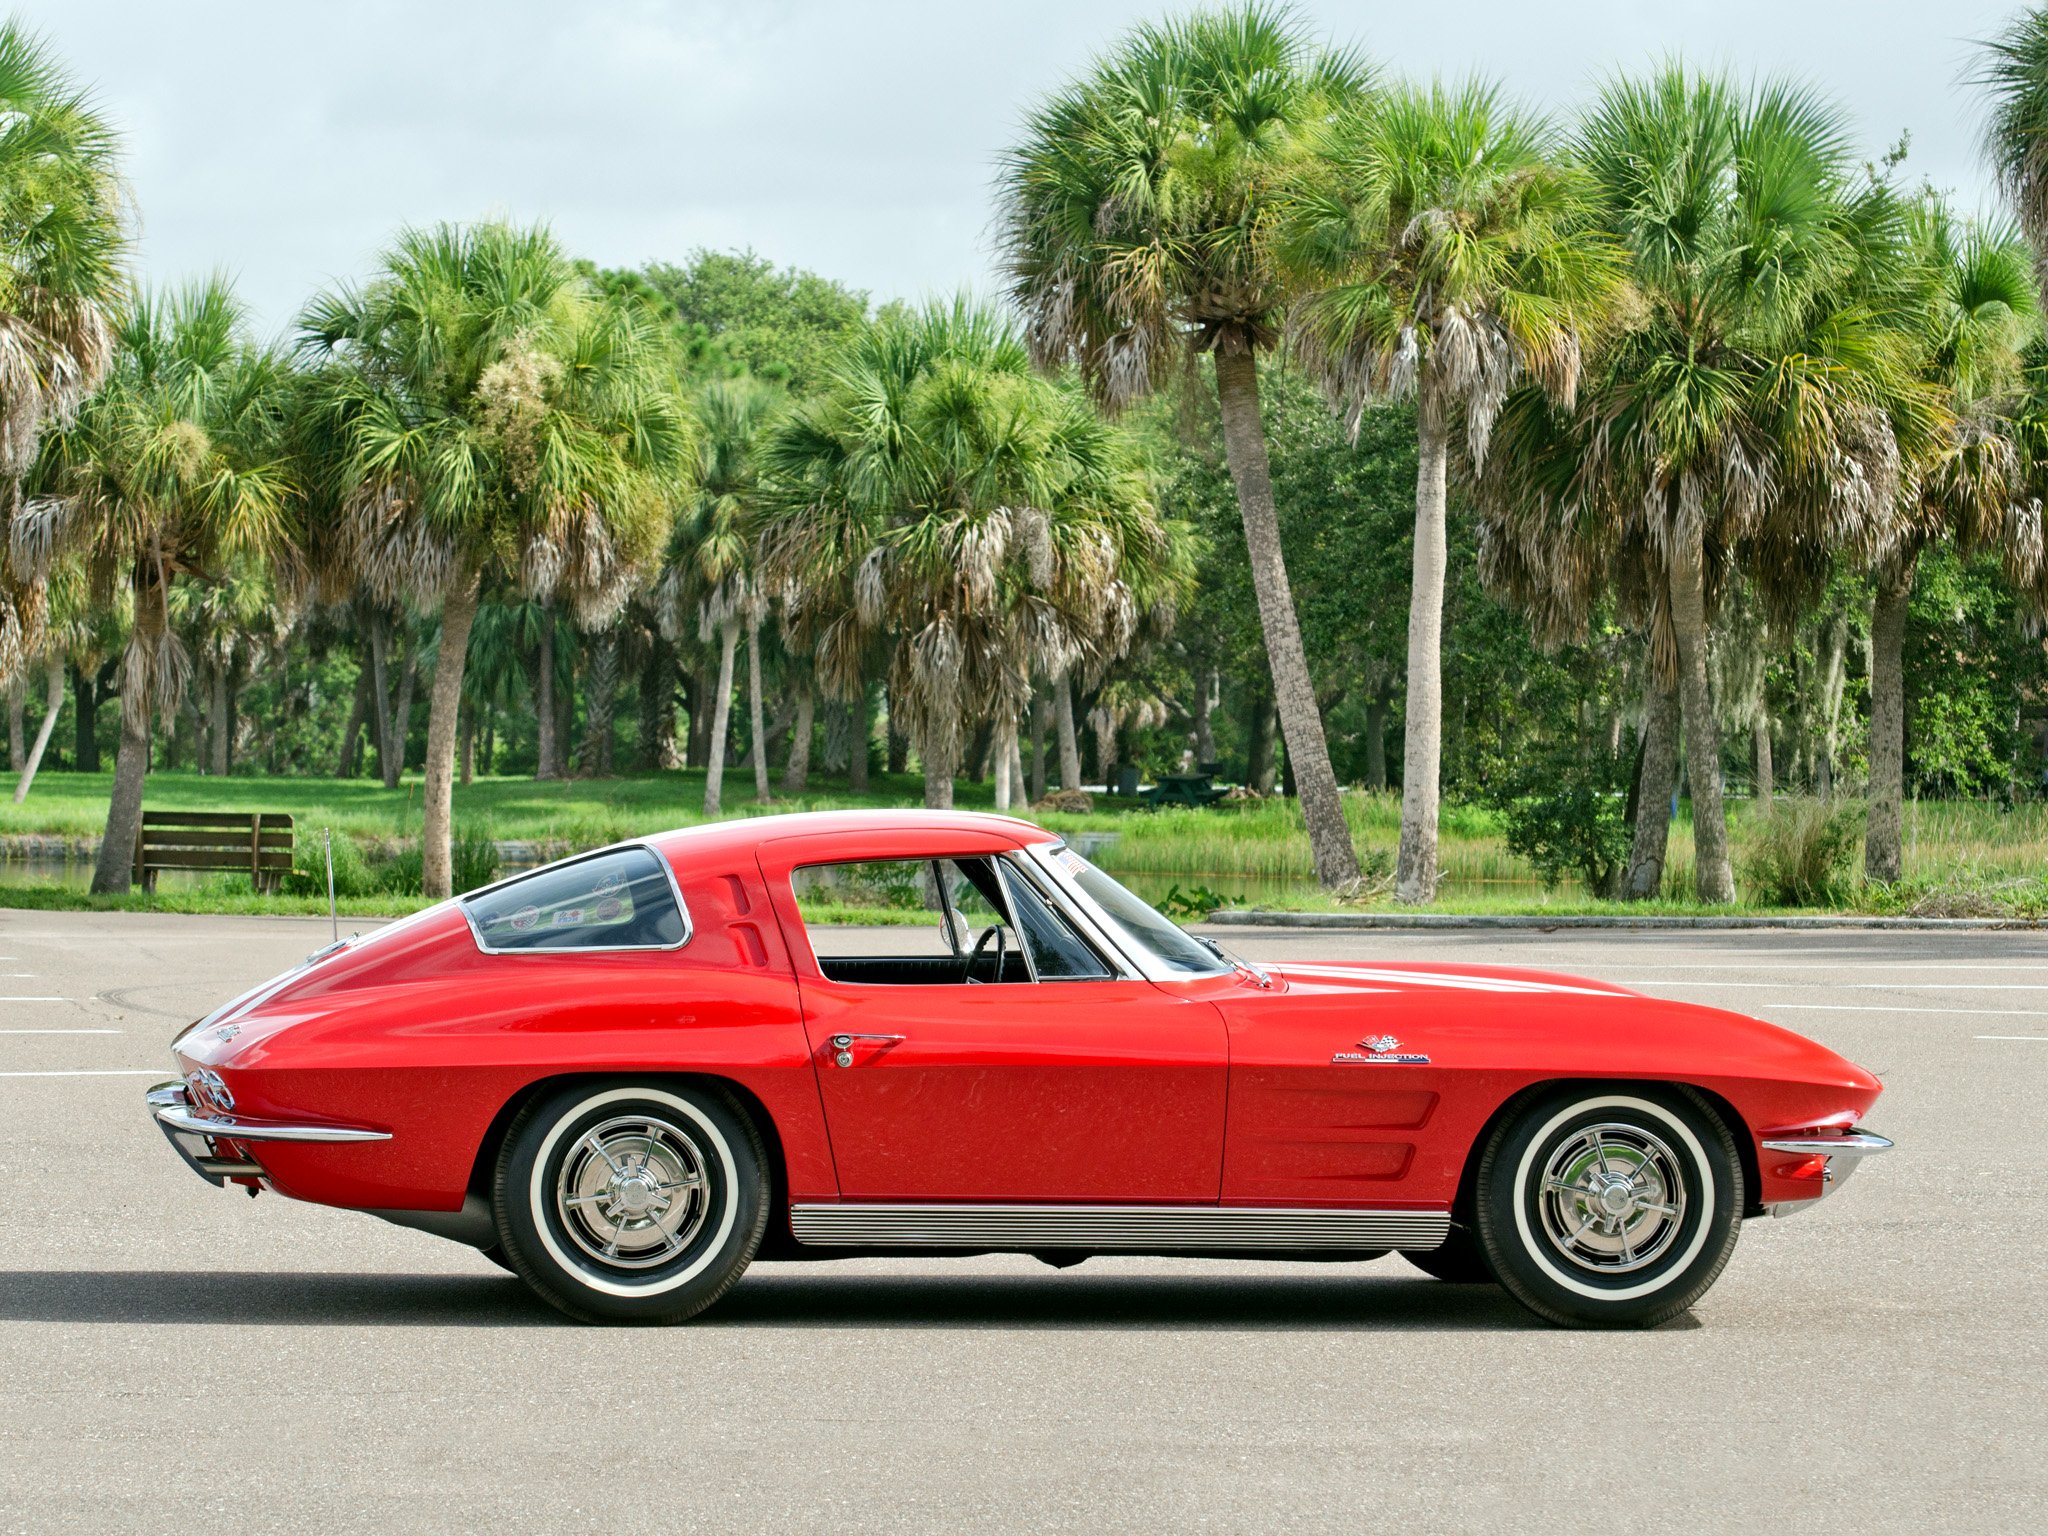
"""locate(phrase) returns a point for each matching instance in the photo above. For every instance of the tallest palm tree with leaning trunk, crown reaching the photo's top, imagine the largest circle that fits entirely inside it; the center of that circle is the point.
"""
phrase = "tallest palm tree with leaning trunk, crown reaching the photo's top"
(1140, 224)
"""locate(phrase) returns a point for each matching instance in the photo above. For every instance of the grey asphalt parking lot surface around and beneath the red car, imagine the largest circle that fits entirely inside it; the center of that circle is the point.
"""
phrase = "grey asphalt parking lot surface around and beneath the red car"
(183, 1359)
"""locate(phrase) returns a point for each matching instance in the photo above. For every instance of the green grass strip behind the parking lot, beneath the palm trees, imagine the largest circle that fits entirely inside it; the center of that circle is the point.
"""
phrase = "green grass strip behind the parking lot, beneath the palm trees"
(1963, 857)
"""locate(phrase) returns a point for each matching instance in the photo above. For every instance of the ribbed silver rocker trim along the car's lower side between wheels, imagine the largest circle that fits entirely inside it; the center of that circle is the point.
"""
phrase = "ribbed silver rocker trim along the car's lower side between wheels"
(1113, 1228)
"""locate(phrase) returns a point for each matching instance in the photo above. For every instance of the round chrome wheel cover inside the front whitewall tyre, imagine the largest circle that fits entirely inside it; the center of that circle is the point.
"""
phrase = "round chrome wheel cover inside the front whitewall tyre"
(1613, 1199)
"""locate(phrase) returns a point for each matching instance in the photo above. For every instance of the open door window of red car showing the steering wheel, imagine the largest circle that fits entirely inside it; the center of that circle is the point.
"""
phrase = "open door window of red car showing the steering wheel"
(908, 921)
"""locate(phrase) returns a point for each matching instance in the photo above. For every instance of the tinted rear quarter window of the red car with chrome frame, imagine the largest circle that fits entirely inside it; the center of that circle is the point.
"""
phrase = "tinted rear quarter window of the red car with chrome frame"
(622, 900)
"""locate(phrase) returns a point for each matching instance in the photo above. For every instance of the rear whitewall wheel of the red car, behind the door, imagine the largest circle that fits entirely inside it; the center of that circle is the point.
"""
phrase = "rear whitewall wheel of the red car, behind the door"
(632, 1203)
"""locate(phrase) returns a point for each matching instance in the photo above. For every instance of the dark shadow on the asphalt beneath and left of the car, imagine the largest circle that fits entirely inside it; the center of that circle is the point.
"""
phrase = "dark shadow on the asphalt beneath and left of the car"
(781, 1299)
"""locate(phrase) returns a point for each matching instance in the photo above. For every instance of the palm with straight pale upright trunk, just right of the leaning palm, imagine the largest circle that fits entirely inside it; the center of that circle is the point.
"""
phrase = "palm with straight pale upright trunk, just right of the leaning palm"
(1449, 249)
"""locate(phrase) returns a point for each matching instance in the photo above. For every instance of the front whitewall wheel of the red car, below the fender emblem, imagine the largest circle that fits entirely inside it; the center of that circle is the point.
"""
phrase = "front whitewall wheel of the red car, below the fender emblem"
(1611, 1207)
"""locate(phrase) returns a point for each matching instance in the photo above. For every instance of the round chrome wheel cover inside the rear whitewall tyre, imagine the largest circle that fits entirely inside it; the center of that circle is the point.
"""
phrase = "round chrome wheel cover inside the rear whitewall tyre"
(632, 1193)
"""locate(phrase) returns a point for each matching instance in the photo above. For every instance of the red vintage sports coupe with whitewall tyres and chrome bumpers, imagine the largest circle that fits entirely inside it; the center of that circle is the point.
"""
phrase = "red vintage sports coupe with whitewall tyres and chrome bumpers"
(630, 1074)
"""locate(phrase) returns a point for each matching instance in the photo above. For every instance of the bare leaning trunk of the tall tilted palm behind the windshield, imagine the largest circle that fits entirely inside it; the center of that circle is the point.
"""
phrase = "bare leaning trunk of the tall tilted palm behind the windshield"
(1244, 441)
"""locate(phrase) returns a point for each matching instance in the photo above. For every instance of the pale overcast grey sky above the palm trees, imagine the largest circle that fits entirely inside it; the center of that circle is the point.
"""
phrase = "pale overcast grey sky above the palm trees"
(284, 140)
